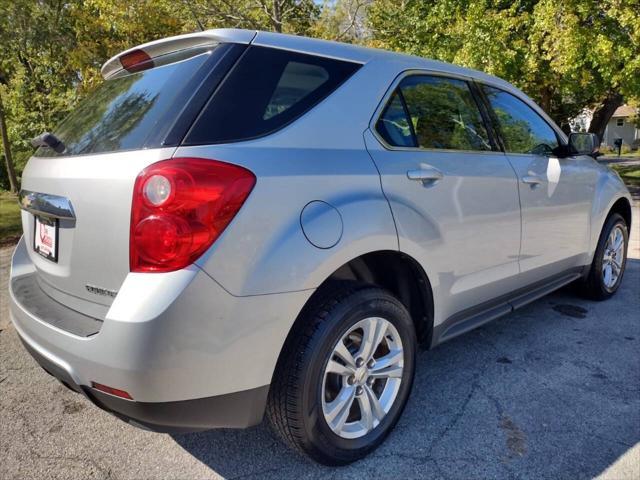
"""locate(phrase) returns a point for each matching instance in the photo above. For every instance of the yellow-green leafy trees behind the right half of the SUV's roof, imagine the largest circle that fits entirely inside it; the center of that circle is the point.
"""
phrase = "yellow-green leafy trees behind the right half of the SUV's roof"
(567, 55)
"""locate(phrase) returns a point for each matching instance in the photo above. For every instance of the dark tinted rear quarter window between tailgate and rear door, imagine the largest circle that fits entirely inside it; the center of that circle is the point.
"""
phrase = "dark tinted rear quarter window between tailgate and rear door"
(266, 90)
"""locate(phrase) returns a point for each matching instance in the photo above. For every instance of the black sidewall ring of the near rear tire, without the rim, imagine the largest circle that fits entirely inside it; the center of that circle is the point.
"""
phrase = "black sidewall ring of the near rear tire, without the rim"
(372, 302)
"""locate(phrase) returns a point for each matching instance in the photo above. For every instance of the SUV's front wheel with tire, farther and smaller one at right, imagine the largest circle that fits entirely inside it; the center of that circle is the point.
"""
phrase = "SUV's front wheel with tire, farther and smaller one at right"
(609, 261)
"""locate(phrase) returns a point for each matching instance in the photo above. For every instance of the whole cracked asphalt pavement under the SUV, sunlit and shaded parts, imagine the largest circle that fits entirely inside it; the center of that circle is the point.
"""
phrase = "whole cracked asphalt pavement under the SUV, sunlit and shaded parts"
(550, 391)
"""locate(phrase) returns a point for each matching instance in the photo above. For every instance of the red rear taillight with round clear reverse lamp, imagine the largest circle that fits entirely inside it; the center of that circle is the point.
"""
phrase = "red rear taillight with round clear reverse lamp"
(180, 207)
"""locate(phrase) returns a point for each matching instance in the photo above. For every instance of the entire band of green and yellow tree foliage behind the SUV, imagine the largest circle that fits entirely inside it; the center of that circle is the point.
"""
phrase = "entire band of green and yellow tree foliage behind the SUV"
(567, 55)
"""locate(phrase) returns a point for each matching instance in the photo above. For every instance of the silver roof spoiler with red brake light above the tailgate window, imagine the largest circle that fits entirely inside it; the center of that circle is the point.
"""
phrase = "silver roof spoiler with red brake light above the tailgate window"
(158, 48)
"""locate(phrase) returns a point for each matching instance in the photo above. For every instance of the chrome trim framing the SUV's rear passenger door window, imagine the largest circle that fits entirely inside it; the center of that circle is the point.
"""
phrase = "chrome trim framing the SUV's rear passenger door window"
(387, 97)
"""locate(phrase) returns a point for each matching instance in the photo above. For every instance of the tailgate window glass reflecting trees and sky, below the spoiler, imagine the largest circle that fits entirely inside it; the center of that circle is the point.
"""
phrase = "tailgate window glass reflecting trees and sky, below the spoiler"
(125, 112)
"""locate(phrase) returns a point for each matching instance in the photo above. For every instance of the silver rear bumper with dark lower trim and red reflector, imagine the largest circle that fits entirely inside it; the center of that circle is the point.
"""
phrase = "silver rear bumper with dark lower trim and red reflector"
(191, 355)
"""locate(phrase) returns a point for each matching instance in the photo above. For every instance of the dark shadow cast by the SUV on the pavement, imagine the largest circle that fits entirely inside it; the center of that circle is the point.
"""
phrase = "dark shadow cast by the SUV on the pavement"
(550, 391)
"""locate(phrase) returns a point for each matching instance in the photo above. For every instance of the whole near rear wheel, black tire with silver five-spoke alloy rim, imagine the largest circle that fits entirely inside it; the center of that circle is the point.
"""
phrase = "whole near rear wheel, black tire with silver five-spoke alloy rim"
(344, 375)
